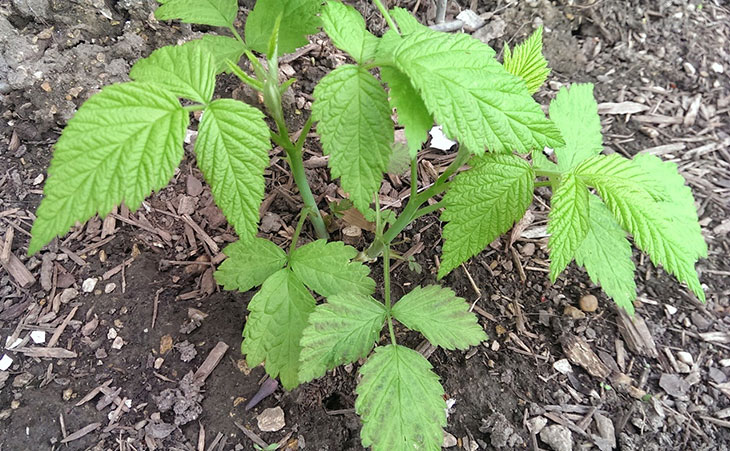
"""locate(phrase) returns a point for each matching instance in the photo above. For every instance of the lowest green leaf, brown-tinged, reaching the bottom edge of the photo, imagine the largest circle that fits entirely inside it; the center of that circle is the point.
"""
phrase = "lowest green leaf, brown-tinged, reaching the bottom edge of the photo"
(400, 401)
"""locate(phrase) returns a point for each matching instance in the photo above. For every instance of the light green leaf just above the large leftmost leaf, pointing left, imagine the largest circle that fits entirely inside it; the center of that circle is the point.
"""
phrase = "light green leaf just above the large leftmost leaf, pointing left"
(185, 70)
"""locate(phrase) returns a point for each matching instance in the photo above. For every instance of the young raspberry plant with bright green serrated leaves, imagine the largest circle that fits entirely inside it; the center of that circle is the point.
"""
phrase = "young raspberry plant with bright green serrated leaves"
(126, 141)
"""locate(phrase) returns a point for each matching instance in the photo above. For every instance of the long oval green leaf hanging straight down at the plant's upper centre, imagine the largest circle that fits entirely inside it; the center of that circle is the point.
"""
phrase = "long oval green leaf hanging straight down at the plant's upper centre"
(356, 129)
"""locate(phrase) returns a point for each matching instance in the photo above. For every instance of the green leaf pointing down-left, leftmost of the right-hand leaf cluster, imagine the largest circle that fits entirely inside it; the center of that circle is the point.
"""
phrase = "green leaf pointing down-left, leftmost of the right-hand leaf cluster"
(483, 203)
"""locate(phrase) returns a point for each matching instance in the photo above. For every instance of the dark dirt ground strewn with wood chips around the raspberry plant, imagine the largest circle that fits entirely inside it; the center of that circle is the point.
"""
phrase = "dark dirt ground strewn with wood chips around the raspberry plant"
(130, 312)
